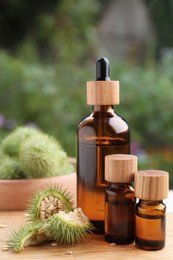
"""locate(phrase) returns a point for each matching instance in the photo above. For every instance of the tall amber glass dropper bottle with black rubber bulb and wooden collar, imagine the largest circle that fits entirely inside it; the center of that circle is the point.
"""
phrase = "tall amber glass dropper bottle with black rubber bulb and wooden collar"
(101, 133)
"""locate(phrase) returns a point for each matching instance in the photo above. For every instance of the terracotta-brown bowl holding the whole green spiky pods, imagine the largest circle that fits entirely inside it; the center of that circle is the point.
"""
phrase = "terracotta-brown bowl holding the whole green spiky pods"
(16, 194)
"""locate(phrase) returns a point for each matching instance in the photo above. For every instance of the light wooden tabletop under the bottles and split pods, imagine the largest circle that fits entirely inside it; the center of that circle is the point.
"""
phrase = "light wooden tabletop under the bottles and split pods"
(94, 247)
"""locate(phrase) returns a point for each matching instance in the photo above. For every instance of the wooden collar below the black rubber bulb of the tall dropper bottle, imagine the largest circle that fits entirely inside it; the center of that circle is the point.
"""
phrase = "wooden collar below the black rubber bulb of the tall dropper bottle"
(103, 92)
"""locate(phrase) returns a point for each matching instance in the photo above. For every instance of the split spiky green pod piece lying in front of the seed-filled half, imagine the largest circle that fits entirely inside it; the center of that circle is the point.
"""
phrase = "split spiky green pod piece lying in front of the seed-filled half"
(68, 228)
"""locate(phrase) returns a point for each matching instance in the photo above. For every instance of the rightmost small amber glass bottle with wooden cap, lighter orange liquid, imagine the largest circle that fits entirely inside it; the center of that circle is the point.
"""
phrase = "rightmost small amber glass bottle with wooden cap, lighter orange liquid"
(151, 187)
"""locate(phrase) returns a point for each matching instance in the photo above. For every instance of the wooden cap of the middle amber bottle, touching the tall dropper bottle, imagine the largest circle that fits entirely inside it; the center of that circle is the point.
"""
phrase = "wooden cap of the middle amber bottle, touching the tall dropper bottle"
(120, 168)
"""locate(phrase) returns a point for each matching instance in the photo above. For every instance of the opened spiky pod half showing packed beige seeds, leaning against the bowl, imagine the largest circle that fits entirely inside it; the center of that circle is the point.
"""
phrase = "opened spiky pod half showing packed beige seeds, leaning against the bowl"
(48, 202)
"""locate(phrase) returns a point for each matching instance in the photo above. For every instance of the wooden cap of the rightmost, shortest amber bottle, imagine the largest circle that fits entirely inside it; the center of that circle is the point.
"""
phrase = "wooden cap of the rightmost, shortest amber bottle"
(151, 184)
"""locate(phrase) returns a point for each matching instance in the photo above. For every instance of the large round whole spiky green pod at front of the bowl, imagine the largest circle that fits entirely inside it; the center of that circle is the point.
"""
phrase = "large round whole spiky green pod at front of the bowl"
(42, 157)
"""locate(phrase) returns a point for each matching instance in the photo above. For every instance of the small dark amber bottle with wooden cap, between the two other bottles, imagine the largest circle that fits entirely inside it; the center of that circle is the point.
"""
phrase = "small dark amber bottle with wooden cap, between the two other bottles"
(120, 198)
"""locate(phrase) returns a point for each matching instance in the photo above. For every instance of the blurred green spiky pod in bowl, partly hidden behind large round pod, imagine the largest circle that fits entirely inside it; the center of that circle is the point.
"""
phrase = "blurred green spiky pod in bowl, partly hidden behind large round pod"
(12, 142)
